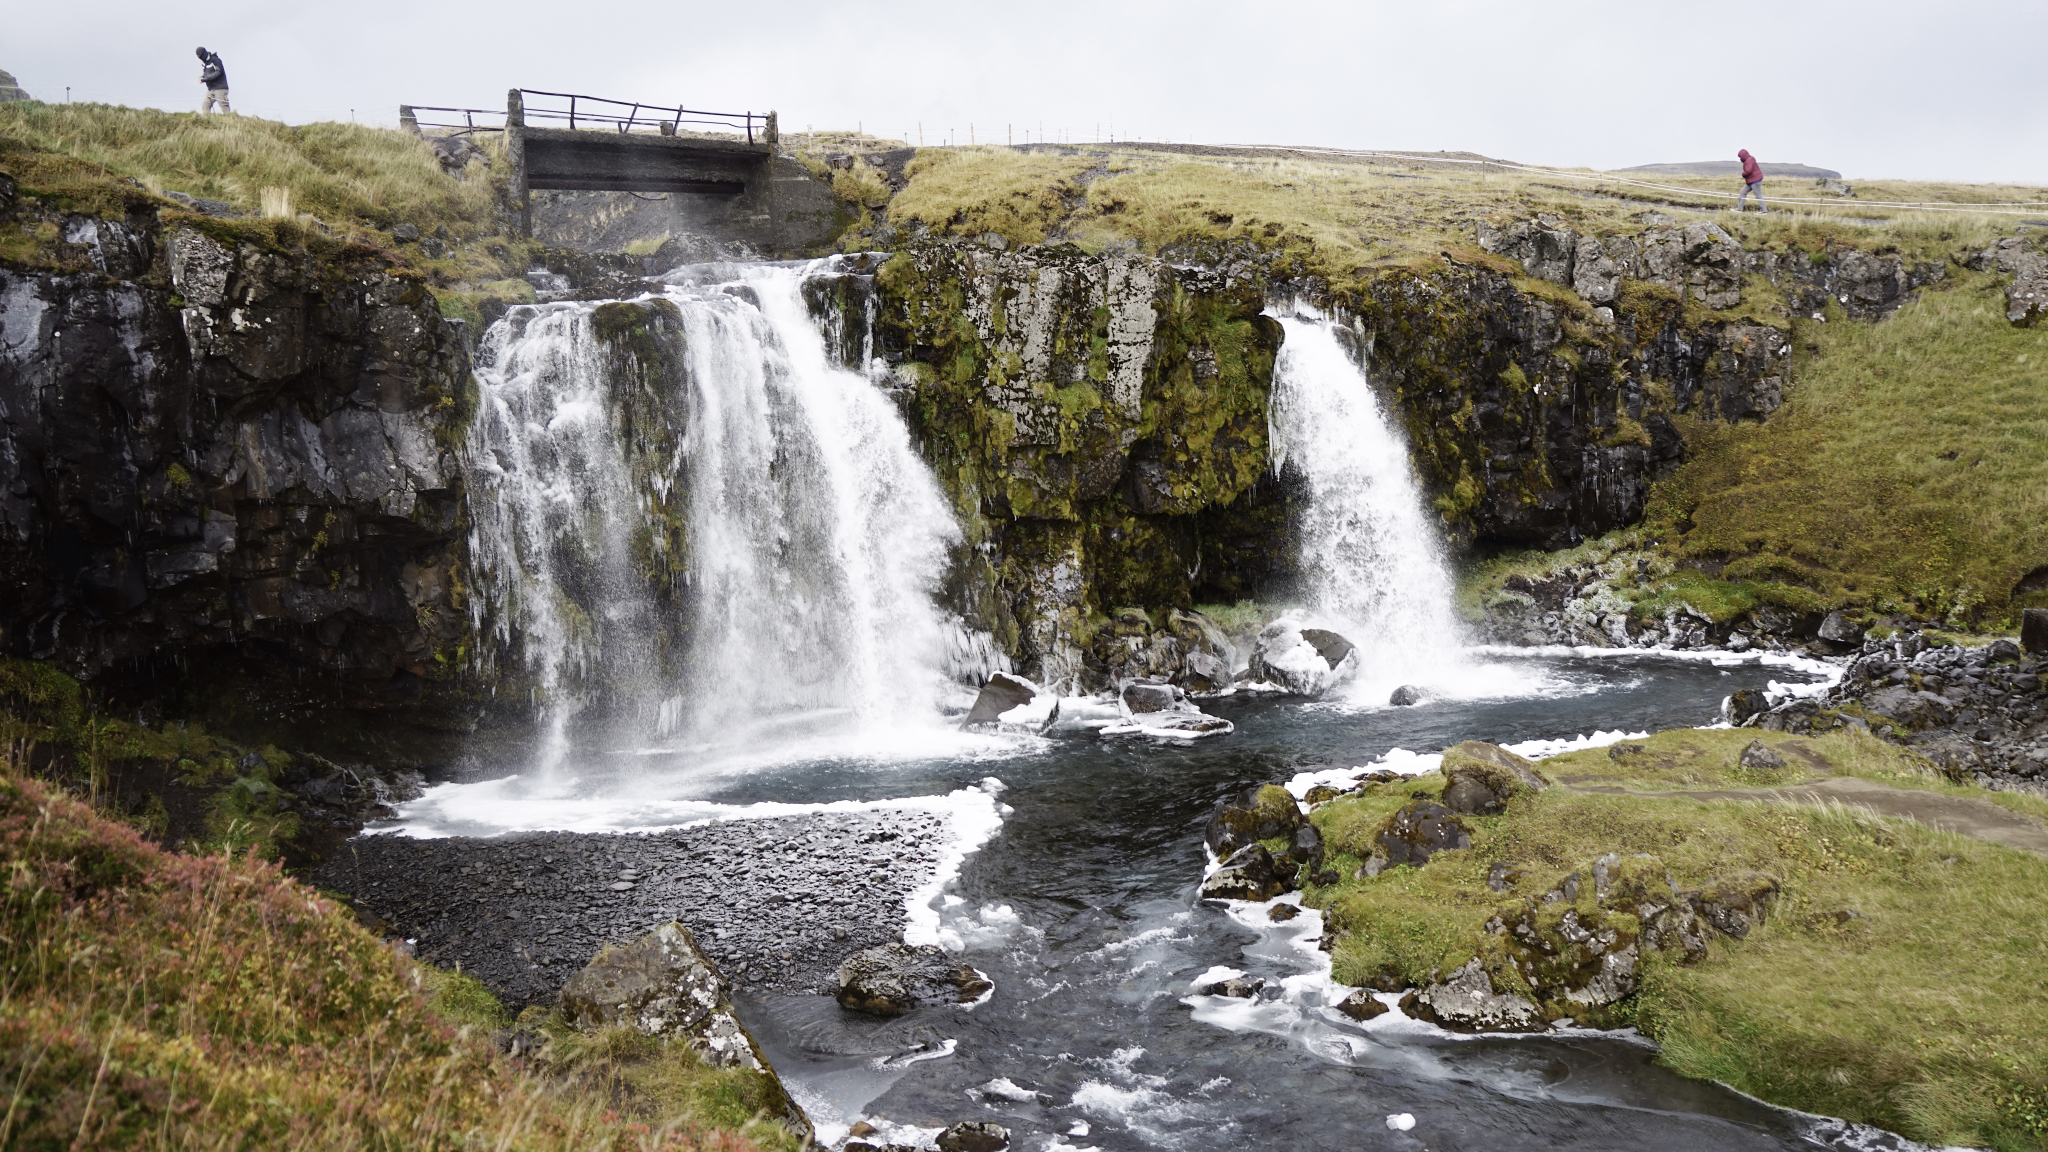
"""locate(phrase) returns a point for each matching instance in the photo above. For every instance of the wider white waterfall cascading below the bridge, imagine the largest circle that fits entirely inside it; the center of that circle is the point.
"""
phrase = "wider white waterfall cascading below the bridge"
(738, 532)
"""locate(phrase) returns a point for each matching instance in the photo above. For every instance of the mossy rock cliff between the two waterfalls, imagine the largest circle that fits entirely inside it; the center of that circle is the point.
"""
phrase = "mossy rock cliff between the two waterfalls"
(1103, 427)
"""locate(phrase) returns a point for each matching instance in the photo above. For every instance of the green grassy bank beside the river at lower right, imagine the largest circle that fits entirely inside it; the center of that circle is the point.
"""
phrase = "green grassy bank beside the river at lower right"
(1926, 1012)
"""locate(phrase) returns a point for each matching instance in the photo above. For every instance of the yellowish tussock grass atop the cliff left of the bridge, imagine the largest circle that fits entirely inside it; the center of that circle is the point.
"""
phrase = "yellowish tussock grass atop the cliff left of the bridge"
(333, 171)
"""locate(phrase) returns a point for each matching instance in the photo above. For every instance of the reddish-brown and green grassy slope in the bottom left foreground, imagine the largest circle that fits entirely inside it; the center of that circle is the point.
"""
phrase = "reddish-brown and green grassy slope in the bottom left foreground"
(204, 1001)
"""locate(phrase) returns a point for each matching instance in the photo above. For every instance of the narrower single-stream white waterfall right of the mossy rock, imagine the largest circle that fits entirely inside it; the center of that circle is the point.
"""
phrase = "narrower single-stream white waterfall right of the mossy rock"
(1369, 552)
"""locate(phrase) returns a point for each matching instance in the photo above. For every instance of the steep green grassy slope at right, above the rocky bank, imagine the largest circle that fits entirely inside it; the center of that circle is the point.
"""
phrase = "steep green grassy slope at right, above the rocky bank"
(1906, 472)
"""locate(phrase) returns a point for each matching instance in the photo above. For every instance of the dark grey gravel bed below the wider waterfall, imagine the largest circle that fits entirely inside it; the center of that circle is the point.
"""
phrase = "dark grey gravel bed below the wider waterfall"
(777, 903)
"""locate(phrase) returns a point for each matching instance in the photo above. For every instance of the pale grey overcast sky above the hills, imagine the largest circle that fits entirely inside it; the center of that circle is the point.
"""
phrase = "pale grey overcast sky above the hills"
(1873, 87)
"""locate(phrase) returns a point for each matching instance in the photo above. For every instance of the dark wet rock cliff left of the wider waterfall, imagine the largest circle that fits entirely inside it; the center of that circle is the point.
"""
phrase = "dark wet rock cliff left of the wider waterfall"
(234, 458)
